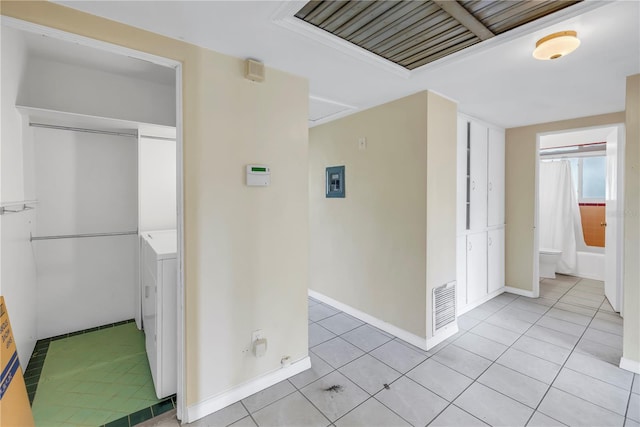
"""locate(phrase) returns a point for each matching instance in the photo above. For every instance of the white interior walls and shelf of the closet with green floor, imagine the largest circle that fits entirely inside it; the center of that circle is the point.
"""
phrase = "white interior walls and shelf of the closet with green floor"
(88, 166)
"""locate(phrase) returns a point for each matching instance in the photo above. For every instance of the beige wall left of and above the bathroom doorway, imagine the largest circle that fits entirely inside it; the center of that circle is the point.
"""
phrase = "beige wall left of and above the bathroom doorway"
(520, 164)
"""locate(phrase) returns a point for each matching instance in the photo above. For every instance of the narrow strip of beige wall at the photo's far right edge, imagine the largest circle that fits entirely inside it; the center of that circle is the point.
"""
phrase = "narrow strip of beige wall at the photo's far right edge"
(631, 345)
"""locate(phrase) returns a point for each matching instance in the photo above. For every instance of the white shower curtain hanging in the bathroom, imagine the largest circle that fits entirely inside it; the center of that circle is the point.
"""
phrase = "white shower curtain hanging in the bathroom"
(559, 214)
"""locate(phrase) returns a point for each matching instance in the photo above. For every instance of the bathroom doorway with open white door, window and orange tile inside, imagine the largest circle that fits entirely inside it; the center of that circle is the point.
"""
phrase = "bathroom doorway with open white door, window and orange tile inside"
(595, 158)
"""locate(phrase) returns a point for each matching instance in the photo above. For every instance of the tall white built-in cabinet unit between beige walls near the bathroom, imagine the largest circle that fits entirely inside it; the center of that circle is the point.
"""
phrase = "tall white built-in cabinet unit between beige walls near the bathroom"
(480, 212)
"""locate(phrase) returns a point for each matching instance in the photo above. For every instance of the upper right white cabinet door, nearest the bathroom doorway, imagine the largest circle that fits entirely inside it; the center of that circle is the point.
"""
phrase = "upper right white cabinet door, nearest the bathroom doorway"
(495, 178)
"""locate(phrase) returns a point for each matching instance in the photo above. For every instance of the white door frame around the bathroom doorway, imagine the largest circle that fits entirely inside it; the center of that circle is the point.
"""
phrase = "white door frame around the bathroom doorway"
(619, 229)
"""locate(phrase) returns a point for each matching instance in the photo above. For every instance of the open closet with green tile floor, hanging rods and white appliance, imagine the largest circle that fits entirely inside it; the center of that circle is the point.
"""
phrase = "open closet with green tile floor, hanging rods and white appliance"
(96, 163)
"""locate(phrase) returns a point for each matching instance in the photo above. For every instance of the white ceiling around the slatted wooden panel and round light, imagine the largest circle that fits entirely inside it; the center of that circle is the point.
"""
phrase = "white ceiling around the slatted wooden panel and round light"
(497, 80)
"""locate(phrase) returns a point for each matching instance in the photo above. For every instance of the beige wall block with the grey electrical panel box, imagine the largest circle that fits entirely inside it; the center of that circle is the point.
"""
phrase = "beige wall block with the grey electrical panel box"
(381, 248)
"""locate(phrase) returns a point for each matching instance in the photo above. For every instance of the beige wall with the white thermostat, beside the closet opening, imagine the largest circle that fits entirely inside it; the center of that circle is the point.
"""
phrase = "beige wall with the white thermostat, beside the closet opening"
(246, 249)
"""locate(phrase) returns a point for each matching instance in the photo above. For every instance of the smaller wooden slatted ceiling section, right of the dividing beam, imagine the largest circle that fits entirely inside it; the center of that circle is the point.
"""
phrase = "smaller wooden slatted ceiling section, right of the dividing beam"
(502, 16)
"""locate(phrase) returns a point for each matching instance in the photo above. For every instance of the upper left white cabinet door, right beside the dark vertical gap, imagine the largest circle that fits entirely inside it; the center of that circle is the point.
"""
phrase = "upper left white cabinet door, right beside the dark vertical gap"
(478, 183)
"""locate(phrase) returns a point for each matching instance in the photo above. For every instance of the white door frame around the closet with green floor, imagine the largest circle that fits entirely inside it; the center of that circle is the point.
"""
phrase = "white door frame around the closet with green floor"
(165, 62)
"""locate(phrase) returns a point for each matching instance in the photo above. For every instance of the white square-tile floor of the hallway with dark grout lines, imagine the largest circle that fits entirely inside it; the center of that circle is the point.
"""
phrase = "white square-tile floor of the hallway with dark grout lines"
(516, 361)
